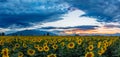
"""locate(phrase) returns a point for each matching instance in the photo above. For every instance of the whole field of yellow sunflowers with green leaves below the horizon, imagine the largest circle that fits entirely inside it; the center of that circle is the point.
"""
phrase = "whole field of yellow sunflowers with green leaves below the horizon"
(59, 46)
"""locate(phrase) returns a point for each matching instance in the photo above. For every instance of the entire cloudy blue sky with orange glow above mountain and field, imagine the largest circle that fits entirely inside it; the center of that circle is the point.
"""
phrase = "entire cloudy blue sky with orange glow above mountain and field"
(61, 16)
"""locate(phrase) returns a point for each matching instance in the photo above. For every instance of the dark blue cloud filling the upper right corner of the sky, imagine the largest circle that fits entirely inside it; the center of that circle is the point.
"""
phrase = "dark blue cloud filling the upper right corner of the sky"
(104, 10)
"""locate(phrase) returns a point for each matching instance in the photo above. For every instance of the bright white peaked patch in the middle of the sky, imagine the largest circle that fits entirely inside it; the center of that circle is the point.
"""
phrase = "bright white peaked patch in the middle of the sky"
(71, 19)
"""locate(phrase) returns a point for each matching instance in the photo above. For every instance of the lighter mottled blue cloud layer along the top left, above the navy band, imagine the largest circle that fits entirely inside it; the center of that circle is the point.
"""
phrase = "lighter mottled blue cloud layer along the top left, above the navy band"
(32, 6)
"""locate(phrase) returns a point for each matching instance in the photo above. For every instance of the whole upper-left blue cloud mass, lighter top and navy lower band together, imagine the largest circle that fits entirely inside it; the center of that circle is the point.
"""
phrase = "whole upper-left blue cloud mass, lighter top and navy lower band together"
(23, 12)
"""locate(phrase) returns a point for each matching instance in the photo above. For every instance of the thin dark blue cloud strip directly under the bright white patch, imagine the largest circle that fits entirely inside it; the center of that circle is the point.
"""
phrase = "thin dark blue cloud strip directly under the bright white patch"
(87, 27)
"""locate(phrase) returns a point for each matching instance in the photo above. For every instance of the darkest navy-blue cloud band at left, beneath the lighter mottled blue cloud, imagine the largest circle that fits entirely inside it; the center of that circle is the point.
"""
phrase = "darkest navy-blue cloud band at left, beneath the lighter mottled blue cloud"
(24, 20)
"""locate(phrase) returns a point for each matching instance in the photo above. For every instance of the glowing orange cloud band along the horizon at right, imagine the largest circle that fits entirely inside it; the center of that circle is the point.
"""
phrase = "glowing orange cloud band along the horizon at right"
(101, 30)
